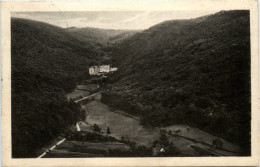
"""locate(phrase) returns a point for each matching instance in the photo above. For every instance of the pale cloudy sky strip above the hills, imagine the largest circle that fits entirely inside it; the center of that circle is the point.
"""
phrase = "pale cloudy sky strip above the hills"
(110, 19)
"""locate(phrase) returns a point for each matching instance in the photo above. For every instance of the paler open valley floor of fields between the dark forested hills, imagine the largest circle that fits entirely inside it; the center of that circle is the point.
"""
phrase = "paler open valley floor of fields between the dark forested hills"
(188, 141)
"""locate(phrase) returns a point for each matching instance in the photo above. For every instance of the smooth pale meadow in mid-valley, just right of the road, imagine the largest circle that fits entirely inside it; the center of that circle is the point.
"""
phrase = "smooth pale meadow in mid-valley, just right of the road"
(120, 125)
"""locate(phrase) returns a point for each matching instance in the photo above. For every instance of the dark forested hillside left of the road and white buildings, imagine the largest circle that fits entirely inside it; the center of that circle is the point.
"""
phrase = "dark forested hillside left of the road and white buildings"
(46, 62)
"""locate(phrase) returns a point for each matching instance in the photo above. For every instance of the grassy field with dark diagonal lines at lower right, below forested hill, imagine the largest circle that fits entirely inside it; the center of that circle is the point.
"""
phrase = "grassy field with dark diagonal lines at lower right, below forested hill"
(189, 137)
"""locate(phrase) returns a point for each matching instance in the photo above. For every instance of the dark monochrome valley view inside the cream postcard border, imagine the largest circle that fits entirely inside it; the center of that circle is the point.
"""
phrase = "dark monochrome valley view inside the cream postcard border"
(130, 84)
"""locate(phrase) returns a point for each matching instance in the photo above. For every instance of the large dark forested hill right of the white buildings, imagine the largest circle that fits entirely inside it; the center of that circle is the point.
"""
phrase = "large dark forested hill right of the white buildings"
(193, 72)
